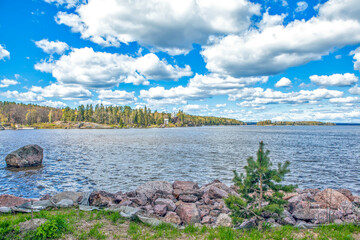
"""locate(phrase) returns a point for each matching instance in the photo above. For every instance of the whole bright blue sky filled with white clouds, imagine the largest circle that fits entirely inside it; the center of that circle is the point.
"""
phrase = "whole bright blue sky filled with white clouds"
(245, 59)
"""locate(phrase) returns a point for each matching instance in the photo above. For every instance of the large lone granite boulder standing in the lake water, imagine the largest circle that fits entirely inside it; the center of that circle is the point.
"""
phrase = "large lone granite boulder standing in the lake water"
(27, 156)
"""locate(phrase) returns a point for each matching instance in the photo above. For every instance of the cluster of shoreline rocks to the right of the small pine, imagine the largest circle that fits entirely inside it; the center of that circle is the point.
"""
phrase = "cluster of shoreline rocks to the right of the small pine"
(307, 208)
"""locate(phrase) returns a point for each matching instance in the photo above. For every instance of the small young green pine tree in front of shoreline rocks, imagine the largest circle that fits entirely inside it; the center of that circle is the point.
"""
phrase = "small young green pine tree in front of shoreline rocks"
(260, 189)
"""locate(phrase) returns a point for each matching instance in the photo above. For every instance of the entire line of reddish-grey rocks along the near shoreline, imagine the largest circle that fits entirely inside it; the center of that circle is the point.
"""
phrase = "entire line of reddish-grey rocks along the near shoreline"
(184, 202)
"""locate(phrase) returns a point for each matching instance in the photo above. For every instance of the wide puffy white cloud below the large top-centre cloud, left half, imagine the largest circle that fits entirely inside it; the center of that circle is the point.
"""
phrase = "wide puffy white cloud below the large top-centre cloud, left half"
(93, 69)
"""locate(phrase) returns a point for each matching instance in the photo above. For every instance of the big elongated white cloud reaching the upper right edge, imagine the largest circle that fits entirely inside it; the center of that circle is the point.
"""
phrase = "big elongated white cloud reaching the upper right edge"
(273, 49)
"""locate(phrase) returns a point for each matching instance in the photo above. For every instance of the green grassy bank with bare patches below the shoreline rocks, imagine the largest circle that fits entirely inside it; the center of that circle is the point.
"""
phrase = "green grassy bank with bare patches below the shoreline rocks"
(76, 224)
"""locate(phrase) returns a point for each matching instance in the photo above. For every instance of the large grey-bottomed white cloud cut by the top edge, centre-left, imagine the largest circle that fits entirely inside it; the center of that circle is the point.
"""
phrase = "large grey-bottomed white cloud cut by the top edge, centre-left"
(171, 26)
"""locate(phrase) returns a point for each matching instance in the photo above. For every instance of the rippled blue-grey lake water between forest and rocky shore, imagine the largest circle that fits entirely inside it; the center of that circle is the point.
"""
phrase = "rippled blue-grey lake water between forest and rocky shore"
(120, 160)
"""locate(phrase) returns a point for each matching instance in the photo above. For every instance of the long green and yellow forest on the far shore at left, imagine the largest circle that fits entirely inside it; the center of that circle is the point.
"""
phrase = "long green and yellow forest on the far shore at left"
(13, 114)
